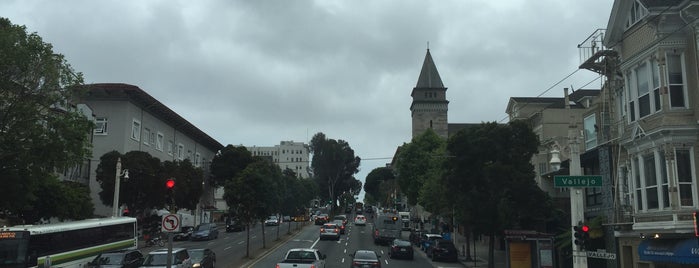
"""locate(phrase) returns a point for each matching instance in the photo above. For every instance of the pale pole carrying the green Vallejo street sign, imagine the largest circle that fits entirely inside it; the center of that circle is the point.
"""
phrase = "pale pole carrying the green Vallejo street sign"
(577, 207)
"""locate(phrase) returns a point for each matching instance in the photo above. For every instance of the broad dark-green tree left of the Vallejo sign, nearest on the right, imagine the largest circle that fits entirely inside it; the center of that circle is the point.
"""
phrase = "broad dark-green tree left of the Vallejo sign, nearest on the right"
(492, 162)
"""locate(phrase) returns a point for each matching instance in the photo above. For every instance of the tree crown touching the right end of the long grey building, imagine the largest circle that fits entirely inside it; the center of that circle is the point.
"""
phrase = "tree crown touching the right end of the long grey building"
(228, 162)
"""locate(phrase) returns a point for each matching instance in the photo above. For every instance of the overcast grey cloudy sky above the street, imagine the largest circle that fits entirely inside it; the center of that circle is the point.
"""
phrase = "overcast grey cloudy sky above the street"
(256, 73)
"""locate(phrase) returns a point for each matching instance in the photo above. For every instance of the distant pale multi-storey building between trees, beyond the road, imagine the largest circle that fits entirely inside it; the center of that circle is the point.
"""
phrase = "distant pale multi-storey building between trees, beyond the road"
(287, 155)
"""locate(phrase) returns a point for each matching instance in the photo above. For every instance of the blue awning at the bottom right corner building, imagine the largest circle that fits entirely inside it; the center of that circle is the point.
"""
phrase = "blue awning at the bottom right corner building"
(684, 251)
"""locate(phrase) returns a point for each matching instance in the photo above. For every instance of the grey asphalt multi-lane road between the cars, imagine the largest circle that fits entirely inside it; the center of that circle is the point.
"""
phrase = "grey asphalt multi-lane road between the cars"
(230, 248)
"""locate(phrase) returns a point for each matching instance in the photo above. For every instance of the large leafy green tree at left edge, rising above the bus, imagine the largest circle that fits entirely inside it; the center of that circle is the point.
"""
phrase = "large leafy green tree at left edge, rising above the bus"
(42, 130)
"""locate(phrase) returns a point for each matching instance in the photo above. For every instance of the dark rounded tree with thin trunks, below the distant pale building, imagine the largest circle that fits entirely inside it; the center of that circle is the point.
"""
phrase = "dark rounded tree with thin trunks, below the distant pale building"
(253, 194)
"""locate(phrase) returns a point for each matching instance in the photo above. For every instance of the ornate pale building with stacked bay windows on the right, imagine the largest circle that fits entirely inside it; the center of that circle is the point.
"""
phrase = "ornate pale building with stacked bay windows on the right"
(647, 143)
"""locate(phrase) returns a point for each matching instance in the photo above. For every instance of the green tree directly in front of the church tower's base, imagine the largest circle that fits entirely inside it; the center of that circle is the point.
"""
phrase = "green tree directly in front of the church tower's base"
(415, 162)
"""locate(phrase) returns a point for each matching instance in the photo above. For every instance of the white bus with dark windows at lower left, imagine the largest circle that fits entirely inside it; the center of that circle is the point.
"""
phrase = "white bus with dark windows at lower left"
(65, 244)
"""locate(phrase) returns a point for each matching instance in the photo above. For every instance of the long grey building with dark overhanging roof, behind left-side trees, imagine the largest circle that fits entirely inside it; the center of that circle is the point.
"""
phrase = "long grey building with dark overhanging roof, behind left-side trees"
(128, 119)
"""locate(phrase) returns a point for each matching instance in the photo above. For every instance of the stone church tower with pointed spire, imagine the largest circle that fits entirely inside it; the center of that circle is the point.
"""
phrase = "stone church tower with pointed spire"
(430, 104)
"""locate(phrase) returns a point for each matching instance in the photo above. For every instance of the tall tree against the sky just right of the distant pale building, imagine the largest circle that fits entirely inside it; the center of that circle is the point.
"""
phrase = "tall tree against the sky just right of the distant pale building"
(333, 164)
